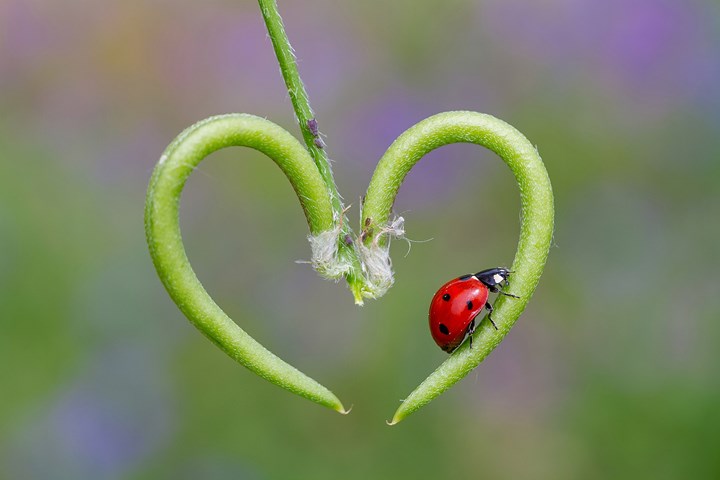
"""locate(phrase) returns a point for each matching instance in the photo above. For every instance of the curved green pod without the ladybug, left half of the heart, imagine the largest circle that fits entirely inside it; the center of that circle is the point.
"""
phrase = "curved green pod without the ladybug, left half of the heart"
(168, 253)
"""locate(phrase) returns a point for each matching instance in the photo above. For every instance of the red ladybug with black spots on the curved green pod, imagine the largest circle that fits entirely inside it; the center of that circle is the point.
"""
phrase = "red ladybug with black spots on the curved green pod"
(457, 303)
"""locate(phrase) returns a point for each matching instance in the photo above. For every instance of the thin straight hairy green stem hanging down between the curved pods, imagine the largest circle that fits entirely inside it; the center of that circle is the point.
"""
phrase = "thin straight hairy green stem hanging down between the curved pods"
(304, 113)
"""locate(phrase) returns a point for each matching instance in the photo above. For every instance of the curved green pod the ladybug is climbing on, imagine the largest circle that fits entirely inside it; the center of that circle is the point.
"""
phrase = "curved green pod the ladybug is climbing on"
(535, 232)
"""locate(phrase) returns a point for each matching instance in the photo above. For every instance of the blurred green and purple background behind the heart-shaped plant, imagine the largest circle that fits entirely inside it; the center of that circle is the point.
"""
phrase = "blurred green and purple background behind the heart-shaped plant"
(612, 372)
